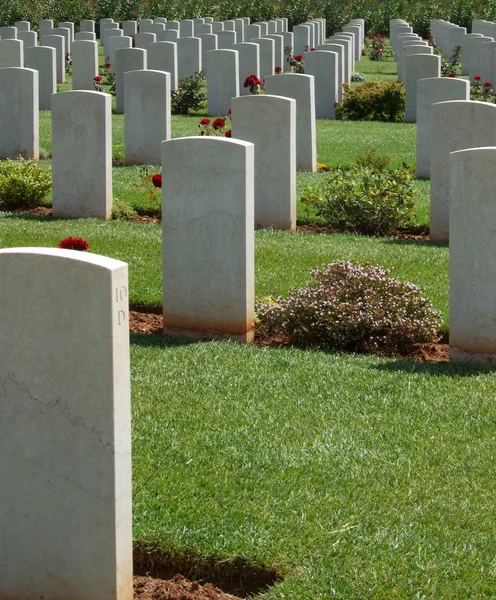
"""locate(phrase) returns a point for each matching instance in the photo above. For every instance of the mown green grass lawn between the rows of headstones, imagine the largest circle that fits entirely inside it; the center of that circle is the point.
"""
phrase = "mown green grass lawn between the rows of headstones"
(357, 477)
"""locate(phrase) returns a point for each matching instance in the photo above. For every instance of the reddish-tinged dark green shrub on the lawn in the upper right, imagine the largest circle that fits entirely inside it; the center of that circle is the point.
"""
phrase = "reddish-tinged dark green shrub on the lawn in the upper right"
(373, 101)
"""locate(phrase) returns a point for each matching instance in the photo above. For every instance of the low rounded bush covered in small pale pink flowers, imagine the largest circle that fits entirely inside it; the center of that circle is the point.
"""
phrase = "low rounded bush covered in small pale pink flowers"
(352, 308)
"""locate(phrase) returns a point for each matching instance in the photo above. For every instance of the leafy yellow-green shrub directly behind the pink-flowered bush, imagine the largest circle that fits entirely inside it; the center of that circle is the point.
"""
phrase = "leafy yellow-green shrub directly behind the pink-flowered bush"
(364, 200)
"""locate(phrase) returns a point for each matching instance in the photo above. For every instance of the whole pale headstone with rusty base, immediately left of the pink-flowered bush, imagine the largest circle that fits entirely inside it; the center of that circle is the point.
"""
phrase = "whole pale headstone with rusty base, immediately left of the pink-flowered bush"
(210, 291)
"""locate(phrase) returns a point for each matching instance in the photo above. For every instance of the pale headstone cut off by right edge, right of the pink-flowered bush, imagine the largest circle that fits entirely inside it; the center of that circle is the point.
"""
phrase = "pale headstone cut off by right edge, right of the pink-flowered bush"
(472, 268)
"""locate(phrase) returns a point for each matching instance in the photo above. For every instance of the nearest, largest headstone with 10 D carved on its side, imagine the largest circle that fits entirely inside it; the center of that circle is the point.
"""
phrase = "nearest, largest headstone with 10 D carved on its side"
(65, 426)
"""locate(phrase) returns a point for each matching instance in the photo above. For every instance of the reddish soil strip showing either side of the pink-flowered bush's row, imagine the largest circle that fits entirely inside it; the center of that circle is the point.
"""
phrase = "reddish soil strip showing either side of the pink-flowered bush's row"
(148, 323)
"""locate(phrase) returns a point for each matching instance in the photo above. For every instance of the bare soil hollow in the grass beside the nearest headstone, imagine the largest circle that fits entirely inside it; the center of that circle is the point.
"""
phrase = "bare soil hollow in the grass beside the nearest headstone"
(197, 577)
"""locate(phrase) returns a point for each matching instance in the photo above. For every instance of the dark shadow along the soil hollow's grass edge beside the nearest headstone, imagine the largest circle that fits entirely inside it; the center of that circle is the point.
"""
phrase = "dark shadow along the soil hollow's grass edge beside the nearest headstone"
(233, 575)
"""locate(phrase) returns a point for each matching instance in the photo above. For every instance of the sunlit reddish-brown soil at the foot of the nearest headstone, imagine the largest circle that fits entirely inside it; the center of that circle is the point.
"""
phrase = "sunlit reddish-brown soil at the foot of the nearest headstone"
(177, 588)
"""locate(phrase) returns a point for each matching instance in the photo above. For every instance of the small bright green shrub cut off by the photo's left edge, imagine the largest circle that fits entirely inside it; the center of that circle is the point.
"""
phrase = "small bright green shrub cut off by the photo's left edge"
(23, 183)
